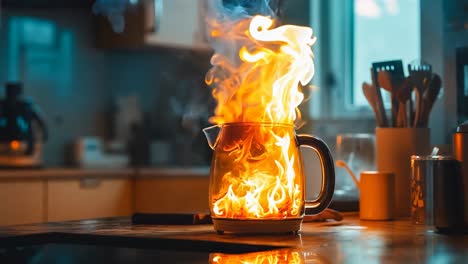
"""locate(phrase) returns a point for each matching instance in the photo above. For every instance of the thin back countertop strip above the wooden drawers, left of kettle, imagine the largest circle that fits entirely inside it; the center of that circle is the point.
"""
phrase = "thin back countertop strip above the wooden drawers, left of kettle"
(47, 173)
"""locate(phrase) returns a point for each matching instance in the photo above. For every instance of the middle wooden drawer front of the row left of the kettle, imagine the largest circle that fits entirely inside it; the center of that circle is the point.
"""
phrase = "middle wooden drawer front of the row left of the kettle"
(87, 198)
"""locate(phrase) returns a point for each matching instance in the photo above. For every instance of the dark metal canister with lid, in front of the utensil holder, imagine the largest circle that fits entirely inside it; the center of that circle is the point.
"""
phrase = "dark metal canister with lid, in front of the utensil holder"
(437, 192)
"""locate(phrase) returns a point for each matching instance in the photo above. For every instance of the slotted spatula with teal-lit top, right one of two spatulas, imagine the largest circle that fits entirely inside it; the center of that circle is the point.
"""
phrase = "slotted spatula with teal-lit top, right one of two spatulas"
(420, 73)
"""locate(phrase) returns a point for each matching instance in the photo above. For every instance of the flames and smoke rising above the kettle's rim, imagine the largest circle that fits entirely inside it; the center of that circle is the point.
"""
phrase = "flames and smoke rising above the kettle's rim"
(259, 65)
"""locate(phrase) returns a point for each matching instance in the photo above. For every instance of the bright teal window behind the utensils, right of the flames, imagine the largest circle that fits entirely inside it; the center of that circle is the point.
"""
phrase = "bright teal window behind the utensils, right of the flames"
(351, 35)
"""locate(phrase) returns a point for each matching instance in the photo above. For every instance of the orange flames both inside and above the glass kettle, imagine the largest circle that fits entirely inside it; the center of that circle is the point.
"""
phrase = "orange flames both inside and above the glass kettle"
(261, 84)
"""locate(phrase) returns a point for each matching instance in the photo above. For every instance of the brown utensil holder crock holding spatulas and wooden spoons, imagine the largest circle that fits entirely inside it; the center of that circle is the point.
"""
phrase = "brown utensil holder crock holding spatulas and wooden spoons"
(394, 147)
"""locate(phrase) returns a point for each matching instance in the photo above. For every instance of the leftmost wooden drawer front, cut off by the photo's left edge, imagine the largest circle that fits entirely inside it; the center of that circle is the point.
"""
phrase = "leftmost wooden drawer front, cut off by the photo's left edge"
(22, 201)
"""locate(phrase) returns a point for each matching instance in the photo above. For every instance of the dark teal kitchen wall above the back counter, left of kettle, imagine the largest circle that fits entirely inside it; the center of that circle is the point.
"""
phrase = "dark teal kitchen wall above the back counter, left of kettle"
(76, 84)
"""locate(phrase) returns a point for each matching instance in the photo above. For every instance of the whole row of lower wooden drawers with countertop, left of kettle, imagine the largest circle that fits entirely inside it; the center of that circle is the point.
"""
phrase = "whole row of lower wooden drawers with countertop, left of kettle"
(34, 196)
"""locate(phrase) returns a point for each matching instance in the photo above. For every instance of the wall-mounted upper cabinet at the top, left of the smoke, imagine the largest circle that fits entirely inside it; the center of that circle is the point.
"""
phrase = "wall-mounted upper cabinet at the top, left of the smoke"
(162, 23)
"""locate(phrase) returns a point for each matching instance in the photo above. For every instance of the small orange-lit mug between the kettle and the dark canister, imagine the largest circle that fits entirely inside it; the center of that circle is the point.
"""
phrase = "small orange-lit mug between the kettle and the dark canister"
(377, 195)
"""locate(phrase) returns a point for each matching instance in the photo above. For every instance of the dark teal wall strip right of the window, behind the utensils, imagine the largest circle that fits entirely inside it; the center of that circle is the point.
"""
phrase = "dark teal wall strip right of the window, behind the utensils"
(444, 29)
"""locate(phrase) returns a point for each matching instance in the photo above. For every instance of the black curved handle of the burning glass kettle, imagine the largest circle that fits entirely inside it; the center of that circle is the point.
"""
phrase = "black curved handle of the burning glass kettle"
(328, 174)
